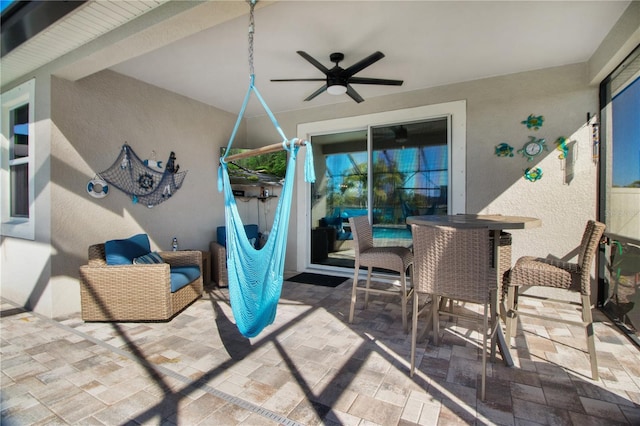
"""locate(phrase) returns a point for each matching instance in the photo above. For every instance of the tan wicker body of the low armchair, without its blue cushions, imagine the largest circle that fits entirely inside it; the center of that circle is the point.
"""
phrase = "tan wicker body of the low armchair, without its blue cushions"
(135, 292)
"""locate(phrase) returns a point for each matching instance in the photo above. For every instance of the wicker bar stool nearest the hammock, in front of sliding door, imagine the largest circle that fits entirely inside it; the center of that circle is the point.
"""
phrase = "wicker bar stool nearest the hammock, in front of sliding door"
(397, 259)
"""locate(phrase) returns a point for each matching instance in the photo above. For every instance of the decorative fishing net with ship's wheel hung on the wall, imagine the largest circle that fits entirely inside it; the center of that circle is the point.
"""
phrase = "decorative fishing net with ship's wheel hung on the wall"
(145, 185)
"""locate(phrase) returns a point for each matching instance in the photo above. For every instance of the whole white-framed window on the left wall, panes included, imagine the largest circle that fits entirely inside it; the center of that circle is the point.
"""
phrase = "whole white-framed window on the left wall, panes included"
(17, 161)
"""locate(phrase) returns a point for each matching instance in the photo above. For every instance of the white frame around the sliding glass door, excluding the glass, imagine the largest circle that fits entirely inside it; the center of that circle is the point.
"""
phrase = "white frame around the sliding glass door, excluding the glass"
(455, 112)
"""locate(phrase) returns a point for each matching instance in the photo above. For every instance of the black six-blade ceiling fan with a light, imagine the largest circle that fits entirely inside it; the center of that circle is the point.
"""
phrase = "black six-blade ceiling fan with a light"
(339, 80)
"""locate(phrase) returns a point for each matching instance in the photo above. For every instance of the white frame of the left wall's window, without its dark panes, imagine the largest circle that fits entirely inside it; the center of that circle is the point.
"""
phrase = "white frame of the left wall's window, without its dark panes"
(17, 227)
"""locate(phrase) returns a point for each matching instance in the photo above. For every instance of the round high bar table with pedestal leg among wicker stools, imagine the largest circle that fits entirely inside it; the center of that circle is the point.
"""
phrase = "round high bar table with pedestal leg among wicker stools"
(496, 224)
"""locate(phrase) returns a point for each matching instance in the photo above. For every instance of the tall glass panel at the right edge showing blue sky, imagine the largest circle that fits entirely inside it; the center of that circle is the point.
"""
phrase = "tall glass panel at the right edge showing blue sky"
(620, 183)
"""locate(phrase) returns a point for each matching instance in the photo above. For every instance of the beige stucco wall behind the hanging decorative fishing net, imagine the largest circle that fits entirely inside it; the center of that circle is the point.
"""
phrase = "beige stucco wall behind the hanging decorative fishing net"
(92, 119)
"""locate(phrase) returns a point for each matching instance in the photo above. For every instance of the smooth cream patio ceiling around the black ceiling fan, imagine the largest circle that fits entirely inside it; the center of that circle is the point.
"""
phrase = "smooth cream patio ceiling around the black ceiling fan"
(426, 43)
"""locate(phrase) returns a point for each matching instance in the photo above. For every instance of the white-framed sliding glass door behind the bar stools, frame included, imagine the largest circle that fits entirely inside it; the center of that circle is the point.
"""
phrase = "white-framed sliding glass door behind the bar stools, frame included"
(386, 165)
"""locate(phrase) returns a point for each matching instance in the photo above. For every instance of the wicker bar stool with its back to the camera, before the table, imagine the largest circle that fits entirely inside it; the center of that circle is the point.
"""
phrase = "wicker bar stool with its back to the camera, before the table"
(453, 263)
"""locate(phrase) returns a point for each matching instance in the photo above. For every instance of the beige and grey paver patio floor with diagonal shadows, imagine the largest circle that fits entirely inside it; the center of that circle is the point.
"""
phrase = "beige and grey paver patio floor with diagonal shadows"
(310, 367)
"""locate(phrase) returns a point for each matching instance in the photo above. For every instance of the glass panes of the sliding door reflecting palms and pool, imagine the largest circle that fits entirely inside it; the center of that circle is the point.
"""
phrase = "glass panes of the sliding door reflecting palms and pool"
(388, 172)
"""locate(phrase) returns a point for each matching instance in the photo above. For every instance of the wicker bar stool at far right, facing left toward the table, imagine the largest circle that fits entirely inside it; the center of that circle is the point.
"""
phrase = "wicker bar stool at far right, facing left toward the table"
(532, 271)
